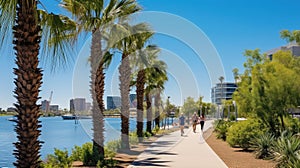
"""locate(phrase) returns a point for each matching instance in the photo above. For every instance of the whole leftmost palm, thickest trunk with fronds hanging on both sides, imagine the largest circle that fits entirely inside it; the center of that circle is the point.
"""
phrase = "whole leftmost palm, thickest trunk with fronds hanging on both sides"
(25, 20)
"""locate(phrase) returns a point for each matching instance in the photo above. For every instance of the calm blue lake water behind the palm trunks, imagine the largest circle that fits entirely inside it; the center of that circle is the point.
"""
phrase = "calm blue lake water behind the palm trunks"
(57, 133)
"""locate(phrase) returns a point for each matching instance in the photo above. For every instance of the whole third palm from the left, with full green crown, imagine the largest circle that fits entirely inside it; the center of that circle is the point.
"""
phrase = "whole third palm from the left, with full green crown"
(126, 38)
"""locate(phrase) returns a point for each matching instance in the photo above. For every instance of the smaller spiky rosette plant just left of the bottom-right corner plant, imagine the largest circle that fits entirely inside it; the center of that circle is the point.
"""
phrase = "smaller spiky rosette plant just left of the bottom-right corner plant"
(263, 146)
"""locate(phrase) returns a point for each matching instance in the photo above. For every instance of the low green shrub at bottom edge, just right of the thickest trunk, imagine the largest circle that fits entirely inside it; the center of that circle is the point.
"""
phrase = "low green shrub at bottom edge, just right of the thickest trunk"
(60, 159)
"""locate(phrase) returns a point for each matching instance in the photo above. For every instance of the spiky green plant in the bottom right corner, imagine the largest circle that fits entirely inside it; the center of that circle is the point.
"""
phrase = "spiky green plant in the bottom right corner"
(287, 150)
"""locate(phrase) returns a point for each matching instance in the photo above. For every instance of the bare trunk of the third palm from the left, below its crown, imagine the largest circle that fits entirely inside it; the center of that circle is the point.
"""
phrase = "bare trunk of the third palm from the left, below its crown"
(124, 77)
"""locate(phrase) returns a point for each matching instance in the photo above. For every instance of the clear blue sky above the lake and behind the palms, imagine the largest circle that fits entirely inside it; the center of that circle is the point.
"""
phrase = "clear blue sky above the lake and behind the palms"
(231, 26)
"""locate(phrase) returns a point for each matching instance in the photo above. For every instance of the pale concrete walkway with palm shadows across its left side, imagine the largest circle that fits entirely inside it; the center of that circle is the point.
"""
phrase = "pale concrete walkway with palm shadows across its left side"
(186, 151)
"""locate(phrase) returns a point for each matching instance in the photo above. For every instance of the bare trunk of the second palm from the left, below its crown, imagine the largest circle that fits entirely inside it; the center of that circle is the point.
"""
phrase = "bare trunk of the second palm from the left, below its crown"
(97, 92)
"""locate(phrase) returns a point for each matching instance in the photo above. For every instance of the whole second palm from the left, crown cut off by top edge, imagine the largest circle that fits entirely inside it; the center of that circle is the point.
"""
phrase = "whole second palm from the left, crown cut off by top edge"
(97, 19)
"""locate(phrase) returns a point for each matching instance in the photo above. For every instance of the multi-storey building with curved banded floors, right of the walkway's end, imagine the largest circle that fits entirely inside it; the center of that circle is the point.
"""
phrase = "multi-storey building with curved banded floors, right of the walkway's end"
(222, 91)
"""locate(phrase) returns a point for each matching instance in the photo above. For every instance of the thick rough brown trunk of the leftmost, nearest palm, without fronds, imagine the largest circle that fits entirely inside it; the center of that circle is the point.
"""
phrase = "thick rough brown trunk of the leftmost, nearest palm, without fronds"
(28, 82)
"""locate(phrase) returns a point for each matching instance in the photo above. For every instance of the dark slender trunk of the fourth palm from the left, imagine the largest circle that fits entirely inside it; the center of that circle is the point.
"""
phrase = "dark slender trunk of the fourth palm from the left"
(140, 99)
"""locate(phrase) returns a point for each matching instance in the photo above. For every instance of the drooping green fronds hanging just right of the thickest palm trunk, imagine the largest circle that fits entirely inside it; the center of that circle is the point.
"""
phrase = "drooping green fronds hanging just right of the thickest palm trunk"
(59, 35)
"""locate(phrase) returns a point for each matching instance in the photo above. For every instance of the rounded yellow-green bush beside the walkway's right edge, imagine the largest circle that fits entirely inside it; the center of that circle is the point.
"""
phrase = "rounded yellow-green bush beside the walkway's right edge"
(241, 133)
